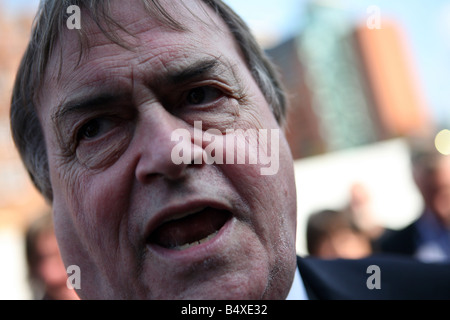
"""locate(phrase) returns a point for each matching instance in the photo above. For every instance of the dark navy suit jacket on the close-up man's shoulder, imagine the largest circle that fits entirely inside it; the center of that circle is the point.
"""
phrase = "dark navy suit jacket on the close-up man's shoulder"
(400, 278)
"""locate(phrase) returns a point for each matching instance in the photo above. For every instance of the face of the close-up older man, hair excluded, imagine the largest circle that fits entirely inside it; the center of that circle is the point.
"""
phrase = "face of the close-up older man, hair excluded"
(138, 225)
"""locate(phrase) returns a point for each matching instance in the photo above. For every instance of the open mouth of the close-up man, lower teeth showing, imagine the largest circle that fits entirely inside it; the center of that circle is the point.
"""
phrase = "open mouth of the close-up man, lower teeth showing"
(190, 230)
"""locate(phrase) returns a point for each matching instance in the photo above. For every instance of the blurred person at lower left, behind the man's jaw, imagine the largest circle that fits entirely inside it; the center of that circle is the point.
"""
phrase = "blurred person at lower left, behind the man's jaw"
(46, 270)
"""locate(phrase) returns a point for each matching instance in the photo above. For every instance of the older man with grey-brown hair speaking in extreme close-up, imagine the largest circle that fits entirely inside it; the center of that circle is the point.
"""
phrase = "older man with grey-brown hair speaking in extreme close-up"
(93, 115)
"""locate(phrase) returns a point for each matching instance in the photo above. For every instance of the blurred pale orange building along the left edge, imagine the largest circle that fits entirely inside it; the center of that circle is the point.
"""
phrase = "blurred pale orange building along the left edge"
(19, 201)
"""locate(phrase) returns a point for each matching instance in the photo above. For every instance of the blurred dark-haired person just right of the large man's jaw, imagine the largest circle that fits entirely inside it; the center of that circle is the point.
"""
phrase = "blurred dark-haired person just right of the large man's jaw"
(331, 234)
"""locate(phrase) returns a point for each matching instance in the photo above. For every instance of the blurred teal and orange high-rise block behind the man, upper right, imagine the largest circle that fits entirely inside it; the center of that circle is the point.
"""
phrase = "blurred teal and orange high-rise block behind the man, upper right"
(348, 85)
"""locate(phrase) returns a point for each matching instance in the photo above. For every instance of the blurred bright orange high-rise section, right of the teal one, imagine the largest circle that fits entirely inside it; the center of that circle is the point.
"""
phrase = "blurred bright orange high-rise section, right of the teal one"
(388, 69)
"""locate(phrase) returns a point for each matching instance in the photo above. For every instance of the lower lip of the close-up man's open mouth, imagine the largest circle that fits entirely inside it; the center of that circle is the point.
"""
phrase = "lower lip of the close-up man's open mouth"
(197, 252)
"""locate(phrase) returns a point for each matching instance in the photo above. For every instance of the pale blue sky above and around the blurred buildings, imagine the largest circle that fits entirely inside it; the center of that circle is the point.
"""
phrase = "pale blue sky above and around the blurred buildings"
(426, 23)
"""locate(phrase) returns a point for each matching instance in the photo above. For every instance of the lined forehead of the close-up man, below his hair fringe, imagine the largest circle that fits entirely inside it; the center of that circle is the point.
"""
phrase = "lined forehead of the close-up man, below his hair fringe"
(148, 41)
